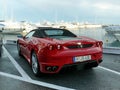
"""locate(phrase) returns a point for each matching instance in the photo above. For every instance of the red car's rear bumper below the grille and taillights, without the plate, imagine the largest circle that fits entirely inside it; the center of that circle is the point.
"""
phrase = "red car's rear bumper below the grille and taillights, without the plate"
(53, 63)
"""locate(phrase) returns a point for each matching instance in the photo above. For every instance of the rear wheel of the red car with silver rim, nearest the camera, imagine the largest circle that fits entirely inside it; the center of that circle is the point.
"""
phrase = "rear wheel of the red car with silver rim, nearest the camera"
(35, 65)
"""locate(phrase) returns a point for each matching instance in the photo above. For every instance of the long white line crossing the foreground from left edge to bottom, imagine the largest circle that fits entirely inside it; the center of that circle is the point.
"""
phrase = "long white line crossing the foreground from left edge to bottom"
(40, 83)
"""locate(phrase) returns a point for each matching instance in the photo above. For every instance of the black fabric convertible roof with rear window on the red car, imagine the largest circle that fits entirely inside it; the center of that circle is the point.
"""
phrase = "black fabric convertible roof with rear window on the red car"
(51, 32)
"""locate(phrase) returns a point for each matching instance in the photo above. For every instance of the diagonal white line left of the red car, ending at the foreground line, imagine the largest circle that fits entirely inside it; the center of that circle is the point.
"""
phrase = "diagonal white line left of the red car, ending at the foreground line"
(18, 67)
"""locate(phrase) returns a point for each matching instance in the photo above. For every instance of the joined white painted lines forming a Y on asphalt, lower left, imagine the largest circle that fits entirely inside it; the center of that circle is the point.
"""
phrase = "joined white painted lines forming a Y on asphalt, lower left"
(26, 78)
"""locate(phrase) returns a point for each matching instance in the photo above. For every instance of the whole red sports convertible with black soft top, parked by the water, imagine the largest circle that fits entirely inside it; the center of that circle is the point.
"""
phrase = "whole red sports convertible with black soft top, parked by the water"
(48, 50)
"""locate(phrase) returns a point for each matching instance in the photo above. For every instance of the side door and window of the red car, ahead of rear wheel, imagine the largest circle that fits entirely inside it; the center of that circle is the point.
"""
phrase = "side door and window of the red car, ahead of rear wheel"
(26, 43)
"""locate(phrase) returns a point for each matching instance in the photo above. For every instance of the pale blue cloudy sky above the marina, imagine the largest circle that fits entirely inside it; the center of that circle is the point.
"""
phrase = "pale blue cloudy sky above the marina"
(92, 11)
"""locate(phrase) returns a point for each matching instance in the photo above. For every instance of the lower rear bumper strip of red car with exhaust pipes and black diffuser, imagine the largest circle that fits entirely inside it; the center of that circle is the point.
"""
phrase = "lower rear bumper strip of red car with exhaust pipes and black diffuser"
(57, 67)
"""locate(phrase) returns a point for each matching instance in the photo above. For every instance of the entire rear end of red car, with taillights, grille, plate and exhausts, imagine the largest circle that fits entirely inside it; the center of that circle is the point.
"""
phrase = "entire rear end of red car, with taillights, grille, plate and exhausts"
(58, 56)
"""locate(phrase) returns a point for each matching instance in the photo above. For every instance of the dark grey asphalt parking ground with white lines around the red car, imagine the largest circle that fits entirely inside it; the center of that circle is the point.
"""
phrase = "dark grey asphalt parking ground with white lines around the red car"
(16, 73)
